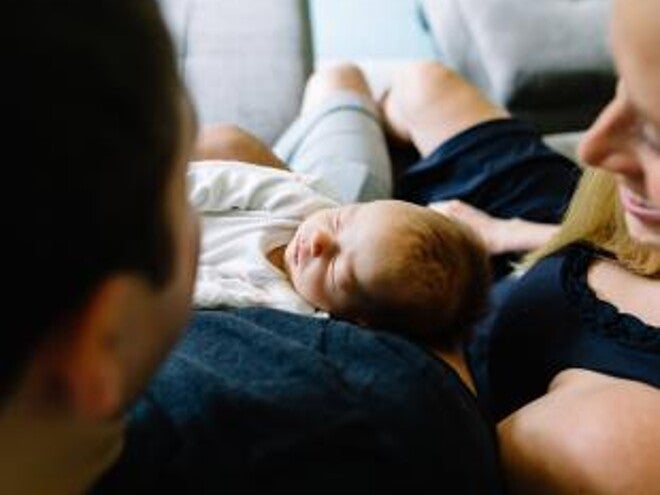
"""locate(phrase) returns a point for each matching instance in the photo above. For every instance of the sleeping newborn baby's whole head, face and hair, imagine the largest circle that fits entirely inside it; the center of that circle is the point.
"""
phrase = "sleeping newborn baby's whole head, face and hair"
(391, 265)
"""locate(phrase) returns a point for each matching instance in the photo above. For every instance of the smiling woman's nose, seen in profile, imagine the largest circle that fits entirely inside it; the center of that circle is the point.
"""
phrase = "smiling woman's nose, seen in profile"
(609, 142)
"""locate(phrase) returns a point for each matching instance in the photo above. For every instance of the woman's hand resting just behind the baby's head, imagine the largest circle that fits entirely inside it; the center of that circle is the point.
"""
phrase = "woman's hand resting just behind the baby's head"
(489, 228)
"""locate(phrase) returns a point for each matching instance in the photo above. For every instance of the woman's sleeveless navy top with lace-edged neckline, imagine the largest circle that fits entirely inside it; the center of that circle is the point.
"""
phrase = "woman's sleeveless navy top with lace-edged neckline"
(550, 320)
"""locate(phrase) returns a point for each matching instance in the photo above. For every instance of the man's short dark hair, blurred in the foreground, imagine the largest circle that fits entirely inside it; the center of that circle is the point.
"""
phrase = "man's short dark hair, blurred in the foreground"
(92, 111)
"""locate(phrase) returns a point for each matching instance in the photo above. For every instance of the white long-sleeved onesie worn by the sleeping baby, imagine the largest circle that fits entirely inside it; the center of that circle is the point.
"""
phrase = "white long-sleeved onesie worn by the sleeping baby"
(247, 211)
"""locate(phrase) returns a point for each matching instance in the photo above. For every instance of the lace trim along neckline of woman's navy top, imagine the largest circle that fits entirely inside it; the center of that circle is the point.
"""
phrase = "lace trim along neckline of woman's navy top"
(600, 316)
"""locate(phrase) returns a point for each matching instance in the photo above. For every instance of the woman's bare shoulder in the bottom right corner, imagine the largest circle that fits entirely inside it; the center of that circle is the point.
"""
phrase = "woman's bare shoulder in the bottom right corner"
(591, 433)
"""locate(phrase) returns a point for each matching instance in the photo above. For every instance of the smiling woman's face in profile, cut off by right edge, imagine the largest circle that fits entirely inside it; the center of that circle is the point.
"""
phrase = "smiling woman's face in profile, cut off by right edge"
(625, 139)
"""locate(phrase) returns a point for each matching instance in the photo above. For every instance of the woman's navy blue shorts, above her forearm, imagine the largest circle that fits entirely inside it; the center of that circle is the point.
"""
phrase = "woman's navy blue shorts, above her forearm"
(500, 166)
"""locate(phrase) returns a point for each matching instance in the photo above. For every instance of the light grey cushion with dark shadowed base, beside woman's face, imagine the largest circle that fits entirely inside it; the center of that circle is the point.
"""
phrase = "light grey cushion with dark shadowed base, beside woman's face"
(547, 60)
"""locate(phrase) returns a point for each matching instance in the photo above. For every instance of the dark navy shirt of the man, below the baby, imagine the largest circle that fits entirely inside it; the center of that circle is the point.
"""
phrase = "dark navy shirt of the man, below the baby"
(257, 398)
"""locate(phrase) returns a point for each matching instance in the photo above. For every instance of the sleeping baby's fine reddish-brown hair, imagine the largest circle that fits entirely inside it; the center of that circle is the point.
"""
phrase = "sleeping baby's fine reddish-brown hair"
(445, 271)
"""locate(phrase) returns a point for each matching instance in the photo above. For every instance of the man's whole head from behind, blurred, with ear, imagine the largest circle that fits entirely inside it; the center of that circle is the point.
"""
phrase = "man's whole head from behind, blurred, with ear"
(98, 137)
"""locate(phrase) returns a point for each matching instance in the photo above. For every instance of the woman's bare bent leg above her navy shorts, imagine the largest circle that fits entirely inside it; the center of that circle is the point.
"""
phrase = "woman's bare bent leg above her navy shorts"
(428, 103)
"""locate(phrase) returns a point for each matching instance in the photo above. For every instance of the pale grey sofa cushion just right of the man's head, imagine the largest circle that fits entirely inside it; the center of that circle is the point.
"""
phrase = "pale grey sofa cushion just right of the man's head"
(245, 62)
